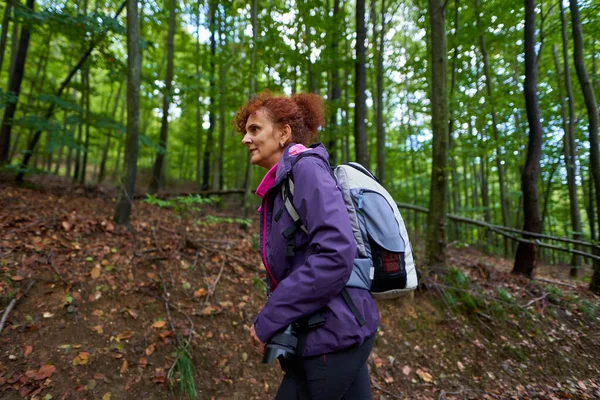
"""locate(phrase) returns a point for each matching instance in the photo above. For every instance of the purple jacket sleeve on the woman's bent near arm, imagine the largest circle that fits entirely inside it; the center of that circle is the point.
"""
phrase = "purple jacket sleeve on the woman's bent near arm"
(311, 286)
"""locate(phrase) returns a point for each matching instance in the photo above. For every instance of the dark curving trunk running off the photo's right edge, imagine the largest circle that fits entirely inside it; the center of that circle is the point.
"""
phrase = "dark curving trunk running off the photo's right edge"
(592, 110)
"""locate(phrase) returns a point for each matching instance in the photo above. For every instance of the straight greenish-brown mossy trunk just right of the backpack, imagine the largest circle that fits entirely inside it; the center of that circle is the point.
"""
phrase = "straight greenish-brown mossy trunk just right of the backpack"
(436, 221)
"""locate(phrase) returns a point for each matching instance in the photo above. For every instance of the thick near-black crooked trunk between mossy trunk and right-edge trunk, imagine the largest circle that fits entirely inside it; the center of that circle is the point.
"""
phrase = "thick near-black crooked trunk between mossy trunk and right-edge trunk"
(526, 256)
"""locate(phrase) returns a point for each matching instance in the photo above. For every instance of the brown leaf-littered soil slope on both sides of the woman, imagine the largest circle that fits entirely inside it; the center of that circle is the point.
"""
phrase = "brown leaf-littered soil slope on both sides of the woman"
(108, 308)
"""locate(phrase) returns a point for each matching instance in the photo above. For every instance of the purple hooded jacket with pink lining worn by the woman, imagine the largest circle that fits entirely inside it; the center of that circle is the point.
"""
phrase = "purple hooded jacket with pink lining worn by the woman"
(313, 278)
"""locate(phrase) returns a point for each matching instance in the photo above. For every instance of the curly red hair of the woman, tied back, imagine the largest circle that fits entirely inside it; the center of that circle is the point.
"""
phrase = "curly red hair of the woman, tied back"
(303, 112)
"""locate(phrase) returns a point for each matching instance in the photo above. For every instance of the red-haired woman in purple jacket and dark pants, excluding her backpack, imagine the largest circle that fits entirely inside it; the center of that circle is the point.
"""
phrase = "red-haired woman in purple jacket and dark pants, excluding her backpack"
(306, 274)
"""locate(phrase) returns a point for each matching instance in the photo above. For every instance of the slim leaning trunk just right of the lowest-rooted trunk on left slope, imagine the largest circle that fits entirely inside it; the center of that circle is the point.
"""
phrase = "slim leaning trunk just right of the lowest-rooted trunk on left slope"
(158, 169)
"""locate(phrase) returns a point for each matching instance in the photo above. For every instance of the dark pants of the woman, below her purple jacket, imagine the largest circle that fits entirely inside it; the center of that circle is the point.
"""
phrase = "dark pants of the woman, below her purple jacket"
(339, 375)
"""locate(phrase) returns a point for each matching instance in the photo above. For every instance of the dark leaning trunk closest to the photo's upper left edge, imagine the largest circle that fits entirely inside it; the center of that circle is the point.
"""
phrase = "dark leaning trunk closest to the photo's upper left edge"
(14, 87)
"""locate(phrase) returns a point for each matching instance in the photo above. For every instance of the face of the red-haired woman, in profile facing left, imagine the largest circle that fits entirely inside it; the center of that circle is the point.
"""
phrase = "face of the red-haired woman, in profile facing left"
(263, 140)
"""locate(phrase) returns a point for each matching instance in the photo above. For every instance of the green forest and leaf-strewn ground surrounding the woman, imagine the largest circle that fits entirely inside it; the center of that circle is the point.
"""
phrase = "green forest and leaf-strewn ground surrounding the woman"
(119, 162)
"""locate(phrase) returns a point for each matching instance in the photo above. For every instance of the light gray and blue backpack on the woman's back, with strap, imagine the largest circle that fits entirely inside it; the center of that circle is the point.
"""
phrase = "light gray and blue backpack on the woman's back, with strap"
(385, 264)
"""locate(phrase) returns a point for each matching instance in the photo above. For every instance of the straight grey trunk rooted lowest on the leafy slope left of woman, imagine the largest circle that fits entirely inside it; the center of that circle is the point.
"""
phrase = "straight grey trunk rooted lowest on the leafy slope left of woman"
(127, 186)
